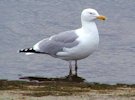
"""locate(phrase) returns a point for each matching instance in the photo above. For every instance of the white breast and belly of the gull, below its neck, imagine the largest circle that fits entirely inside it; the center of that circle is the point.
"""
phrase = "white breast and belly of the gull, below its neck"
(88, 43)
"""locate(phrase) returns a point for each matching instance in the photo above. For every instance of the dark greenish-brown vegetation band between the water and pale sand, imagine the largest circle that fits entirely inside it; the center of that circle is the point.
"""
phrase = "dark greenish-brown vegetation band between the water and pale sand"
(57, 88)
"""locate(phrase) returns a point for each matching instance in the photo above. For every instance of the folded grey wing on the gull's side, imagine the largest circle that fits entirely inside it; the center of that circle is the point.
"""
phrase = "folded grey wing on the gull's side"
(57, 42)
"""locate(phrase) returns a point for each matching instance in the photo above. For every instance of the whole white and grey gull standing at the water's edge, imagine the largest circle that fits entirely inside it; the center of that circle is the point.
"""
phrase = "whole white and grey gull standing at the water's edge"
(71, 45)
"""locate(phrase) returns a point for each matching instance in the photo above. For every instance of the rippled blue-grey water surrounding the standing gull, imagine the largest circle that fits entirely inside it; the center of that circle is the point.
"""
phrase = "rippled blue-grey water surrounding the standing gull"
(25, 22)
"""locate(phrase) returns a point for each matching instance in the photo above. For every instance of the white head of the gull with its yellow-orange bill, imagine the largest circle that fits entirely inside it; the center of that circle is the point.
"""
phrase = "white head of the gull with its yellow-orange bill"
(89, 15)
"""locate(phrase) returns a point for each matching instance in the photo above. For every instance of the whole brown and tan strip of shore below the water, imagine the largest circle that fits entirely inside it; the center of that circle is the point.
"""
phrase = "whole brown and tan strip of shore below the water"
(51, 90)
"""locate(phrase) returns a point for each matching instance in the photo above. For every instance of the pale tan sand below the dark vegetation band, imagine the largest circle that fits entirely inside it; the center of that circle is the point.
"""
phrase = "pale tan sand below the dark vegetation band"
(119, 94)
